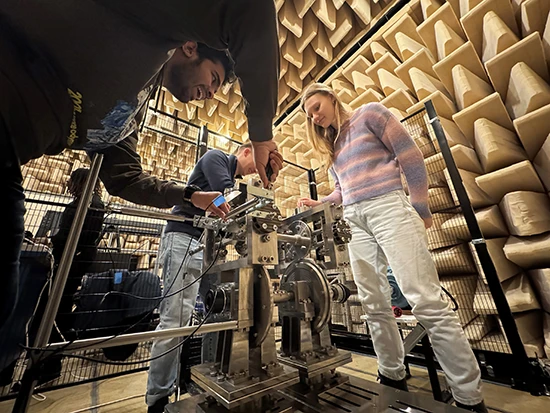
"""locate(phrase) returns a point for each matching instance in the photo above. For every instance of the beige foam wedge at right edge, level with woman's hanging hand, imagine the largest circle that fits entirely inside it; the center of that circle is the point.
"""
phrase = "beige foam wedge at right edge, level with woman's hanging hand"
(526, 213)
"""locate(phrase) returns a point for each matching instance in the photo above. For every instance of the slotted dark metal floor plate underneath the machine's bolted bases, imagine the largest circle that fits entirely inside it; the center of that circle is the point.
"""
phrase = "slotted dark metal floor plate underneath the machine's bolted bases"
(352, 396)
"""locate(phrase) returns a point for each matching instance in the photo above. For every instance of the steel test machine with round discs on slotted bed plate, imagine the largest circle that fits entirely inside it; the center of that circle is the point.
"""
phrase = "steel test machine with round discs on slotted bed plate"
(281, 275)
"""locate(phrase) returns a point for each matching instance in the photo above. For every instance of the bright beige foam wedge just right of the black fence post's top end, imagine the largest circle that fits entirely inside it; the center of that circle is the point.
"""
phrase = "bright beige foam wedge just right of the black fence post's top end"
(468, 88)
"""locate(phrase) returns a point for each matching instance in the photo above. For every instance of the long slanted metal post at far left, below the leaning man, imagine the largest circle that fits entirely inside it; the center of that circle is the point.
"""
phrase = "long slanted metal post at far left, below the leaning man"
(47, 321)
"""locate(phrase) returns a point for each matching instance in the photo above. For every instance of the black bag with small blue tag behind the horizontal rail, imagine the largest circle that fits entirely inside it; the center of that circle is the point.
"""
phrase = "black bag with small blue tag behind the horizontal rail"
(99, 314)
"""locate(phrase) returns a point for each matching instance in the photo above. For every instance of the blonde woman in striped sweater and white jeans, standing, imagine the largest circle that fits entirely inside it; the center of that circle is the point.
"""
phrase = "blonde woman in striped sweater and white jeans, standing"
(366, 150)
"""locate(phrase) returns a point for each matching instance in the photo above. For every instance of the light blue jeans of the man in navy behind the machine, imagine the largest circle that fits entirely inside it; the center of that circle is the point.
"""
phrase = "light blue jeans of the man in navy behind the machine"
(175, 311)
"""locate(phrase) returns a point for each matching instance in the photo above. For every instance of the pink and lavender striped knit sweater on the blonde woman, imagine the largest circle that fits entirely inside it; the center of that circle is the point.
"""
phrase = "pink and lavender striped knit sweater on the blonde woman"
(368, 155)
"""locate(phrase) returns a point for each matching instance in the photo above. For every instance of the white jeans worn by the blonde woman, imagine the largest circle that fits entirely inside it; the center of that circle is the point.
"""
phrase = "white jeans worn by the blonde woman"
(388, 230)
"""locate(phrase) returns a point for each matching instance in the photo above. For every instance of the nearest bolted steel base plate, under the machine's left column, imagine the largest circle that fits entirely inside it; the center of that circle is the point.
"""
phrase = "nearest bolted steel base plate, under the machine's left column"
(231, 395)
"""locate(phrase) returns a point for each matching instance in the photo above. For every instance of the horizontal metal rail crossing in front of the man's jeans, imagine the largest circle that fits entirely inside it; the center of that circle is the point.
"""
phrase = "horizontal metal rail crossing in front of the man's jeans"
(123, 339)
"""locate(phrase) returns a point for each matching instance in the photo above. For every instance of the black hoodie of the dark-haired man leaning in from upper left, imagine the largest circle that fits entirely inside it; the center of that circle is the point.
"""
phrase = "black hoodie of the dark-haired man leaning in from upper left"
(77, 66)
